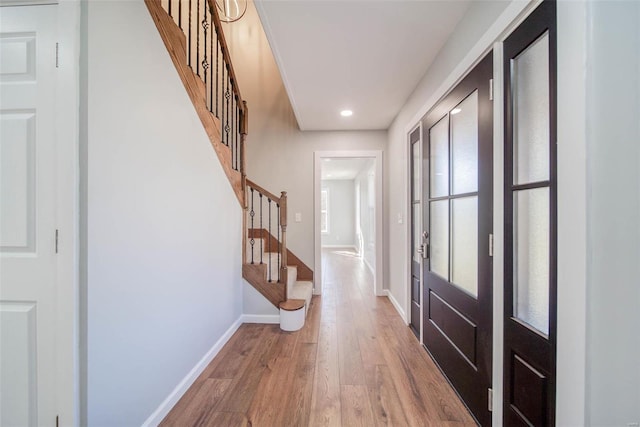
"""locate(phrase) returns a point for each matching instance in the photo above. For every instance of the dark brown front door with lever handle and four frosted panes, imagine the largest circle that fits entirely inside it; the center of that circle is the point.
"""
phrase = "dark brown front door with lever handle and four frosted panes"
(458, 199)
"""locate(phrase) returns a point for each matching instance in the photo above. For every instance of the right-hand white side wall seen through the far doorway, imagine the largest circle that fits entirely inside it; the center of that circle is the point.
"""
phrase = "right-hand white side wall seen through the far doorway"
(367, 202)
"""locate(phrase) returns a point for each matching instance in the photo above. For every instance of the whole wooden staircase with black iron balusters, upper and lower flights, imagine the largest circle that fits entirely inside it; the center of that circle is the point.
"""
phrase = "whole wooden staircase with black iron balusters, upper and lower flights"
(192, 32)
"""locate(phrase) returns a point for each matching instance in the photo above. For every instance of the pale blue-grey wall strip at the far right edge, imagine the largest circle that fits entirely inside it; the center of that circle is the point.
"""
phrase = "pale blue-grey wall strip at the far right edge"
(613, 213)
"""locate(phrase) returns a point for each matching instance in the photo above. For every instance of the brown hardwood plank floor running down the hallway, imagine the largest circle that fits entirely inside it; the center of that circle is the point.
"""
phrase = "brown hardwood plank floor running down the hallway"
(355, 363)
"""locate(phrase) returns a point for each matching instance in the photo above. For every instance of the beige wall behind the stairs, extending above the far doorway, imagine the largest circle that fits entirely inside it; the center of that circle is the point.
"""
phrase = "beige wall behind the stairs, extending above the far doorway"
(279, 155)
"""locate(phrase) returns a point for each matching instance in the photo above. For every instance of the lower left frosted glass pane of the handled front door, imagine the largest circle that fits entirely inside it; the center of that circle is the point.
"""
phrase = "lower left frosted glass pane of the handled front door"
(439, 238)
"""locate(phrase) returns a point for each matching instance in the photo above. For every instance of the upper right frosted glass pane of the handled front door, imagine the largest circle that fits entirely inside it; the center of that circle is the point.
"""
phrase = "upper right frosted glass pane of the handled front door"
(464, 145)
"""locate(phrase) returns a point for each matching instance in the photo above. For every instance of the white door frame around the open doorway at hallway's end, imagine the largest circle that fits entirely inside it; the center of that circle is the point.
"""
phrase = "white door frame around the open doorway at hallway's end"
(318, 157)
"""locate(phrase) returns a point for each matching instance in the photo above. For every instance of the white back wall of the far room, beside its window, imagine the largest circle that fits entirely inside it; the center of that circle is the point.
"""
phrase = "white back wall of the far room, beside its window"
(342, 216)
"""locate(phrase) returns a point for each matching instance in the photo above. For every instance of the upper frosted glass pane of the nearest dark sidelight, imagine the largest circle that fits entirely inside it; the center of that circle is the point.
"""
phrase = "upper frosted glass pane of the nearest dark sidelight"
(530, 78)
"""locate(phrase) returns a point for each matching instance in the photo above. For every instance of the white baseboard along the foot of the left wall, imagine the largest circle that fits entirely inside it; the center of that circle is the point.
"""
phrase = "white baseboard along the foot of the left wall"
(158, 415)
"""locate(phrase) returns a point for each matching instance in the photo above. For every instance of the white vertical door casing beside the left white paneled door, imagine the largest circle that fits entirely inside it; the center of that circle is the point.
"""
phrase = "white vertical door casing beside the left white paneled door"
(67, 212)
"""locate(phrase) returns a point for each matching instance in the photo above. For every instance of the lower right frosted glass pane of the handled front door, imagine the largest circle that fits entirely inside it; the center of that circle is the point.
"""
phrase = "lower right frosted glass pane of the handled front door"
(464, 254)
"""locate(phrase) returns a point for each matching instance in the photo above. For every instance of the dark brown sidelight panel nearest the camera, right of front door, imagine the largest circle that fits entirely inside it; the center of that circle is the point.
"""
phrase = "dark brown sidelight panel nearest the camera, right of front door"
(530, 221)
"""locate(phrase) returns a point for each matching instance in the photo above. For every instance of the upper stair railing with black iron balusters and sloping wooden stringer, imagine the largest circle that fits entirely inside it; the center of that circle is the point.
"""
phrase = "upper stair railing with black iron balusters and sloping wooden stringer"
(193, 35)
